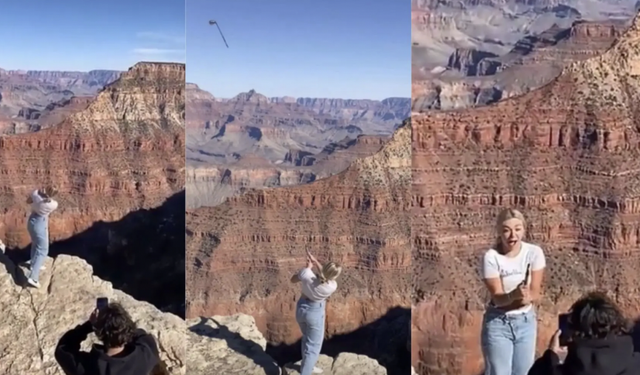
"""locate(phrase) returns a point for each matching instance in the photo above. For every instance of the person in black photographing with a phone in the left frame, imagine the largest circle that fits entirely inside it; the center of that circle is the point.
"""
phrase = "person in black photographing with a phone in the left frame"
(125, 349)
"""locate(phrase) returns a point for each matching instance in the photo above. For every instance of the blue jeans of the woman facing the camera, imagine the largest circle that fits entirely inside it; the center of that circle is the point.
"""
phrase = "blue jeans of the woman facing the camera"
(509, 342)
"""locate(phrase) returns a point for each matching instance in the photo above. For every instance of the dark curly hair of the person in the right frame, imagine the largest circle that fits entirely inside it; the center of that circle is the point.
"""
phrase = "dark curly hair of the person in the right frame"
(596, 316)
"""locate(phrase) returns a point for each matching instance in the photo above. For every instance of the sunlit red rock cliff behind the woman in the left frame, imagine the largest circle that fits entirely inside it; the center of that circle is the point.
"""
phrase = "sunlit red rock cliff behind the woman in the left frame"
(125, 151)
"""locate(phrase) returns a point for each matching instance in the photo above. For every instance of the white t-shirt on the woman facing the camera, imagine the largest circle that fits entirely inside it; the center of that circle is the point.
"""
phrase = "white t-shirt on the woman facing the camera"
(512, 270)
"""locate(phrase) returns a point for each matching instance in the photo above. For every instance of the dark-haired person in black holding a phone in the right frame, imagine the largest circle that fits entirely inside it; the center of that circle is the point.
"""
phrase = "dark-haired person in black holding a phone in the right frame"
(597, 341)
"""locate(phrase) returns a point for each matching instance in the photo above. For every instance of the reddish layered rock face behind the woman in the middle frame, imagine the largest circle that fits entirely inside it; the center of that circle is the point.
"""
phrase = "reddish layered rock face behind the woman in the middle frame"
(242, 253)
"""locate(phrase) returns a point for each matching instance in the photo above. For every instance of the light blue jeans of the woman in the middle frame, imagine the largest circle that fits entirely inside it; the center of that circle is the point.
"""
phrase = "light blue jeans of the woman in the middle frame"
(310, 317)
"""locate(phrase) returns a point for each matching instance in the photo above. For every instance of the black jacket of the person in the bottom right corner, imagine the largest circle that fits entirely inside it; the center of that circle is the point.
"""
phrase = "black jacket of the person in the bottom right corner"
(609, 356)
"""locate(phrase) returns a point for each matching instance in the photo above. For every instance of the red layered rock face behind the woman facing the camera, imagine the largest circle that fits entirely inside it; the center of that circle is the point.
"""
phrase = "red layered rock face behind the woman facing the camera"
(566, 156)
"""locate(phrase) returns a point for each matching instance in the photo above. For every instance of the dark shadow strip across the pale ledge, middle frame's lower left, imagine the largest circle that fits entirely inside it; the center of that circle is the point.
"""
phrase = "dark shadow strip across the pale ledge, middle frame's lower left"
(237, 343)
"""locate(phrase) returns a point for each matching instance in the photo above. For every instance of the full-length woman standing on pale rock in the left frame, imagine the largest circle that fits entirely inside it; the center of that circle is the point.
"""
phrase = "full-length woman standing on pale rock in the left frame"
(42, 205)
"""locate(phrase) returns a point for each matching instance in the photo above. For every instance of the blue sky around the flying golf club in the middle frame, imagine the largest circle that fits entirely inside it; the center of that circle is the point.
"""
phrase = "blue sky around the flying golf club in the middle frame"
(356, 49)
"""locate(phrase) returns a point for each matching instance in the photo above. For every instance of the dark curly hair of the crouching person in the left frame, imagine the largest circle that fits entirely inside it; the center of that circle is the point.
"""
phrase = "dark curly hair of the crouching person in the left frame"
(114, 326)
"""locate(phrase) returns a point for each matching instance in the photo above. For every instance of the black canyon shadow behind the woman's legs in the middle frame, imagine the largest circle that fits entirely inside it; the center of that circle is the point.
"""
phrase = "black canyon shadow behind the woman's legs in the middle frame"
(385, 340)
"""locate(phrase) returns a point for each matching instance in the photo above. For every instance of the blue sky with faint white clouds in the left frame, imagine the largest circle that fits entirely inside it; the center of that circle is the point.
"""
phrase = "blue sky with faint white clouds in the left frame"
(84, 35)
